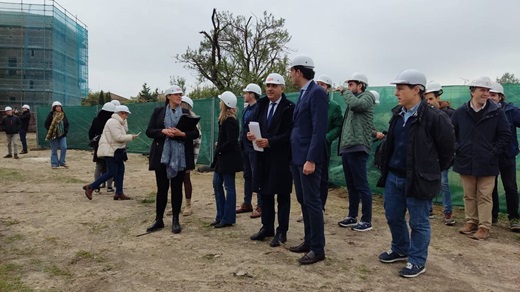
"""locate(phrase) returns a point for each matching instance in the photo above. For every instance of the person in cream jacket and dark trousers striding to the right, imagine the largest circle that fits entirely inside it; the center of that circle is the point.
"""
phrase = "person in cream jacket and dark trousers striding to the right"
(111, 144)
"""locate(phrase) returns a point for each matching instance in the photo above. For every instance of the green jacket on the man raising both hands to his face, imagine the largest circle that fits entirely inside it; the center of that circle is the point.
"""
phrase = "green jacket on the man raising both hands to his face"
(358, 123)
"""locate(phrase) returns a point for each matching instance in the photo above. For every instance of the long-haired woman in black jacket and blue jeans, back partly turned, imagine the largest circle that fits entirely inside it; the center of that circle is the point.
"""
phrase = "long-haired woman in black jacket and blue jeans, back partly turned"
(227, 161)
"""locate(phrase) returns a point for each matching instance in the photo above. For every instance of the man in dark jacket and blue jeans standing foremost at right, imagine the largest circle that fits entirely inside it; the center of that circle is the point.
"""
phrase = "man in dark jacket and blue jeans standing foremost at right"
(419, 145)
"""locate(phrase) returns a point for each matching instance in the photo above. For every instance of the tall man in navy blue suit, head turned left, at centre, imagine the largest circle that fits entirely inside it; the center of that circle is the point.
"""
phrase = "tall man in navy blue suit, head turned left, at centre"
(308, 146)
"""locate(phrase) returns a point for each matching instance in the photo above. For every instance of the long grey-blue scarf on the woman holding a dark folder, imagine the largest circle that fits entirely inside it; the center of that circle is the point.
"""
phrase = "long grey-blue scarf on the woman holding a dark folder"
(173, 151)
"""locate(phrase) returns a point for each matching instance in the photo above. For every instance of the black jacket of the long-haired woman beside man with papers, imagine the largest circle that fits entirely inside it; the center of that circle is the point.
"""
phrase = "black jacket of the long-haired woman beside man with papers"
(228, 156)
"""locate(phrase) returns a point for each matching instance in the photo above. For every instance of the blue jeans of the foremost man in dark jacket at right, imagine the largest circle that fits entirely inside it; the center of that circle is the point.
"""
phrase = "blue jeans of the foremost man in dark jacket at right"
(396, 204)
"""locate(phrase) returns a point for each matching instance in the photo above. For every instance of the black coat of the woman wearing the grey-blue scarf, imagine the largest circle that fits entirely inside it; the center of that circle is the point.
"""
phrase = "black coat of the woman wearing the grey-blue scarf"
(155, 126)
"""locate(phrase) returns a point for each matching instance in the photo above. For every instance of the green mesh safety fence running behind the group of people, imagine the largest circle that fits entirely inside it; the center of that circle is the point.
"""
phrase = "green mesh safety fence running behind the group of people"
(80, 119)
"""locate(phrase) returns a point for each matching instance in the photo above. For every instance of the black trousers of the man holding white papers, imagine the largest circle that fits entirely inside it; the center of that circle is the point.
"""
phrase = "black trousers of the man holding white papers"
(284, 208)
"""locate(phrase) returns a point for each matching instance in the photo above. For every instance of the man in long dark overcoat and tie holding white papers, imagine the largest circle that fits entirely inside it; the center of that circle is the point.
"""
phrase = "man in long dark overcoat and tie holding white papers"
(274, 115)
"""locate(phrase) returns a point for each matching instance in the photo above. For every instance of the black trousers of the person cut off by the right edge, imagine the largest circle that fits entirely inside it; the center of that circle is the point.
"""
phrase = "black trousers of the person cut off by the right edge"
(507, 168)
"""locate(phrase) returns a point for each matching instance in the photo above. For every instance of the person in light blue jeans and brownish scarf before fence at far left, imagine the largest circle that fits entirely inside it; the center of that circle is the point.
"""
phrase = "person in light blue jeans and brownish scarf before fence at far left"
(57, 127)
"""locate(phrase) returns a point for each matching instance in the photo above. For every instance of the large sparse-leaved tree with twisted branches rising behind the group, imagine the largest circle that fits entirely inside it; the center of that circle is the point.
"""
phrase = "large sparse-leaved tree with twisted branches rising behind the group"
(239, 50)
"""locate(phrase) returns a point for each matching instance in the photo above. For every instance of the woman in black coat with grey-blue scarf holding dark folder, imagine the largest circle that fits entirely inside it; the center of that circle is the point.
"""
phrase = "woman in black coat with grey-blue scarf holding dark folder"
(171, 154)
